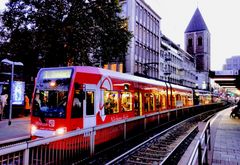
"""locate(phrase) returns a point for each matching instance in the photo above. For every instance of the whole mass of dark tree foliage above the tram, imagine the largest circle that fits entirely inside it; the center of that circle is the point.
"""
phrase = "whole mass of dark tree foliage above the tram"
(63, 32)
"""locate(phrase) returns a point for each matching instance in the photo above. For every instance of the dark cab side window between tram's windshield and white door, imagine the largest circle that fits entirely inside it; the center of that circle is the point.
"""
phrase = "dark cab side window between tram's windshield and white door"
(77, 108)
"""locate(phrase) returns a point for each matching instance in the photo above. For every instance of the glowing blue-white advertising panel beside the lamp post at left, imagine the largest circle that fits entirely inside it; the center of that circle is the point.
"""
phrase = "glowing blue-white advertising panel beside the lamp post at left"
(18, 92)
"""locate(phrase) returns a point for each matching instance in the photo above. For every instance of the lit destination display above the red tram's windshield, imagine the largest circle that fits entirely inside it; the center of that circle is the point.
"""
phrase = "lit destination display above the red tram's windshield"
(54, 74)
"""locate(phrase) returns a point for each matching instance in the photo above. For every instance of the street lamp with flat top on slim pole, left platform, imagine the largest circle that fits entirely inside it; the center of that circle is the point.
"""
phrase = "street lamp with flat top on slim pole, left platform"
(12, 63)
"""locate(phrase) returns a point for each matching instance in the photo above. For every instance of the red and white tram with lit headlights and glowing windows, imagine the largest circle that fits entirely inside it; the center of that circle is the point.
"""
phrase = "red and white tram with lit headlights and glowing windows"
(70, 98)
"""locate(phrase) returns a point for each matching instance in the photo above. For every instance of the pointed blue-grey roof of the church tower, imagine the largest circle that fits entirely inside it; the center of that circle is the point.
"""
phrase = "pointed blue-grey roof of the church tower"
(197, 23)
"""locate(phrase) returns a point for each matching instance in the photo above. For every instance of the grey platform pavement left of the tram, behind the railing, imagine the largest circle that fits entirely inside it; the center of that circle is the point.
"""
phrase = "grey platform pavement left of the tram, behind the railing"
(18, 130)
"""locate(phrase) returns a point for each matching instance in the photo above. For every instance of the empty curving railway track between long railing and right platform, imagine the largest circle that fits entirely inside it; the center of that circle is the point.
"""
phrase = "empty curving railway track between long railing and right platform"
(162, 148)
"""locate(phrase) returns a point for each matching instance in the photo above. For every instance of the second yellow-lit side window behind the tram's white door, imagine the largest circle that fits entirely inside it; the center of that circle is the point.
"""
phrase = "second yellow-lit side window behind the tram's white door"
(126, 101)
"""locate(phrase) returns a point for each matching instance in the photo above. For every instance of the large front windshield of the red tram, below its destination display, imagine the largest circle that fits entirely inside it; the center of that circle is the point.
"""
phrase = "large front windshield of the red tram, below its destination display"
(50, 98)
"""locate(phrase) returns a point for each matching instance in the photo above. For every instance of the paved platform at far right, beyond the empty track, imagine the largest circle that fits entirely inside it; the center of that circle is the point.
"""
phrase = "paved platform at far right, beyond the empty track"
(225, 142)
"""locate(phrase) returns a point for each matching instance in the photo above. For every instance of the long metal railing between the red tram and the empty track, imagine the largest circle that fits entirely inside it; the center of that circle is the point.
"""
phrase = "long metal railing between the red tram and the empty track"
(81, 144)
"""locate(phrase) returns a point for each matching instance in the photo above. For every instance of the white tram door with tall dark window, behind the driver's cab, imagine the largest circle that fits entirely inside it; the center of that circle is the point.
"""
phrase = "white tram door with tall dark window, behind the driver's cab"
(89, 114)
